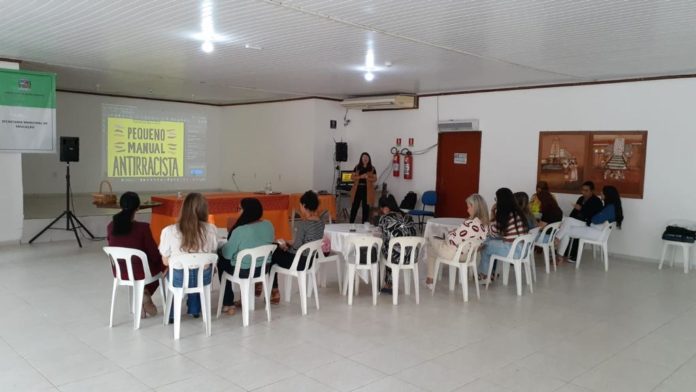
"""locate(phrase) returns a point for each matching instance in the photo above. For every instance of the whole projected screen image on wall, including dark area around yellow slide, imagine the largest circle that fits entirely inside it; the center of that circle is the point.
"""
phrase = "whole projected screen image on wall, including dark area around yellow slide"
(148, 145)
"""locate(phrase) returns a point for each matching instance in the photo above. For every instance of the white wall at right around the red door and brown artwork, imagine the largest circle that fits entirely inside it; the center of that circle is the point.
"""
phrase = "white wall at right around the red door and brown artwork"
(511, 122)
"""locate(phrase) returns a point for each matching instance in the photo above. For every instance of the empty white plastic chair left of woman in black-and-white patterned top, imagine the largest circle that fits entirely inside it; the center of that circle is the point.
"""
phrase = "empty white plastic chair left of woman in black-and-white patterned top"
(371, 265)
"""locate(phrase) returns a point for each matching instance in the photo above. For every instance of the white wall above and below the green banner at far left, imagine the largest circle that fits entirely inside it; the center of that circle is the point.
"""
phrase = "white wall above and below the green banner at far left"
(11, 200)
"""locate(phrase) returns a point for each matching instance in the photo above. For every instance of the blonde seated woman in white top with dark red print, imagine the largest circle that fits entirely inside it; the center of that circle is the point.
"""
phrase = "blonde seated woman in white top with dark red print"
(472, 232)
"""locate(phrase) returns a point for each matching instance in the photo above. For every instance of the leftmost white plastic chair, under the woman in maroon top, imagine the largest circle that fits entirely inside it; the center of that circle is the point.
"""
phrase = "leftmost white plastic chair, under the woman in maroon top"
(136, 287)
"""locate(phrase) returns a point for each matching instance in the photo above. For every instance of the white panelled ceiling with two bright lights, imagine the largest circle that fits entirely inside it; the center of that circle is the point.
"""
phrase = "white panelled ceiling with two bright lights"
(318, 47)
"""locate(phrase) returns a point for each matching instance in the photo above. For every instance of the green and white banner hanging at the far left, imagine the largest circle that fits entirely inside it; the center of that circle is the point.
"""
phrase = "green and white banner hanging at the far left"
(27, 111)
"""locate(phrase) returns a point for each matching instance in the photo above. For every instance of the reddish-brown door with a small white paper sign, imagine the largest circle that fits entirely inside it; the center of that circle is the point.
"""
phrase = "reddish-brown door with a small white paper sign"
(458, 164)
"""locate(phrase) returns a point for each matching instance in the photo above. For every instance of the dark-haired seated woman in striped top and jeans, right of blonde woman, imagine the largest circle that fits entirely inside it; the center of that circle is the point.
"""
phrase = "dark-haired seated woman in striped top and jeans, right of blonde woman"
(509, 222)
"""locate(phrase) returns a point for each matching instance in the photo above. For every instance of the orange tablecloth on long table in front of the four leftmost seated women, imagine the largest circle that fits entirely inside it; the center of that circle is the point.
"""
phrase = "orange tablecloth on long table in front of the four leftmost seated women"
(223, 206)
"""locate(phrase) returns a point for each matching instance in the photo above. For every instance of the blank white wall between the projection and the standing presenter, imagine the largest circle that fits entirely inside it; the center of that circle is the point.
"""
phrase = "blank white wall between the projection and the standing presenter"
(287, 143)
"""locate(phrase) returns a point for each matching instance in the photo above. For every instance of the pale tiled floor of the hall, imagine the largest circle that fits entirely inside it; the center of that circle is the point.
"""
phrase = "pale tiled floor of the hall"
(630, 329)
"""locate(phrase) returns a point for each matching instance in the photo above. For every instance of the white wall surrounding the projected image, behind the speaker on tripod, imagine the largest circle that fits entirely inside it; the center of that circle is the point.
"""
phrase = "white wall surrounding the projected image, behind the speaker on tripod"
(81, 115)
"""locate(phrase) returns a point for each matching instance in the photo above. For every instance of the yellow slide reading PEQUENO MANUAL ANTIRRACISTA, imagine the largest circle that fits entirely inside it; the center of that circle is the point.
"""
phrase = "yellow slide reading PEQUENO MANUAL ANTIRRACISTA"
(140, 148)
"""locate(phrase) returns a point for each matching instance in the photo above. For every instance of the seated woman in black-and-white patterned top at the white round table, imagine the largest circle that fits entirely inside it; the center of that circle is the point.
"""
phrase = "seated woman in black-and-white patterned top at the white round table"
(393, 223)
